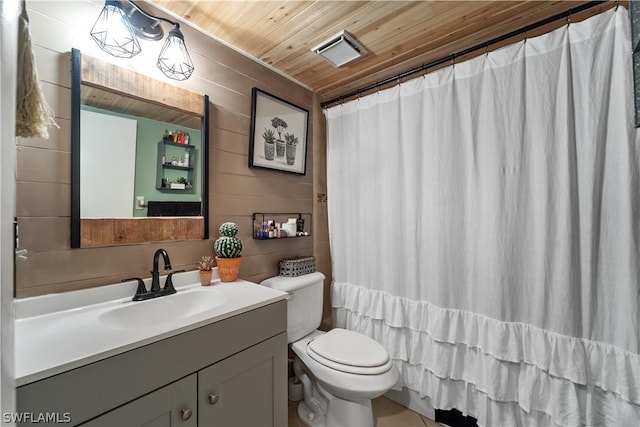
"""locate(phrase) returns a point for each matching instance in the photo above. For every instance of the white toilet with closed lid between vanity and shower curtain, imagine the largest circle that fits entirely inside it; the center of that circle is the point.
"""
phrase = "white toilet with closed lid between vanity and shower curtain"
(340, 370)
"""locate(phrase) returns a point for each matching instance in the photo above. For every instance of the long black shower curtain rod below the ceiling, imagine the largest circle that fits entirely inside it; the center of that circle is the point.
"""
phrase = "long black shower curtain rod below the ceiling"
(467, 51)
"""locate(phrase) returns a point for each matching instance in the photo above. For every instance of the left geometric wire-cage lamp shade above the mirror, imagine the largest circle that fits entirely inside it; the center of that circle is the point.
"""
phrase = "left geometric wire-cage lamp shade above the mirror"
(113, 32)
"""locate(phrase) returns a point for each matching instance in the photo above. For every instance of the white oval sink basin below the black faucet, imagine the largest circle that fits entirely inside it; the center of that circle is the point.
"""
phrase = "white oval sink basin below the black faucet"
(161, 310)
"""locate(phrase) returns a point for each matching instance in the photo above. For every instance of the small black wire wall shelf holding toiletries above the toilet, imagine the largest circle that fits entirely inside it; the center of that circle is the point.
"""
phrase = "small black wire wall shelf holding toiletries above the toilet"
(270, 225)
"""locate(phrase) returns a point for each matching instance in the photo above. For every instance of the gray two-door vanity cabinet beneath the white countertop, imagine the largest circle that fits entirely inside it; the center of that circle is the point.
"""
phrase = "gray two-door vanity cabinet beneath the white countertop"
(232, 372)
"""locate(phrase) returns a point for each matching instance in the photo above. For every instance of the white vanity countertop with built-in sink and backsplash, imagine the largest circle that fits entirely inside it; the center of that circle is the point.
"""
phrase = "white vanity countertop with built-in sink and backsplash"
(58, 332)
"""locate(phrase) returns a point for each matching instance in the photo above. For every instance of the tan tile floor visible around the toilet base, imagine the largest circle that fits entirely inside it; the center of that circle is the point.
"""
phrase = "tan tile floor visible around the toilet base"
(386, 413)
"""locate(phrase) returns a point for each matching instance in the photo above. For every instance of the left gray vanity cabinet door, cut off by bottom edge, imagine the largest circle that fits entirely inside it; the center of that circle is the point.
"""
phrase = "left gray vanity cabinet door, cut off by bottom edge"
(173, 405)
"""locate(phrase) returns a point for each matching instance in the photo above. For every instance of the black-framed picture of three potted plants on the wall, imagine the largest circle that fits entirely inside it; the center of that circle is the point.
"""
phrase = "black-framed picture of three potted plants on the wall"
(278, 138)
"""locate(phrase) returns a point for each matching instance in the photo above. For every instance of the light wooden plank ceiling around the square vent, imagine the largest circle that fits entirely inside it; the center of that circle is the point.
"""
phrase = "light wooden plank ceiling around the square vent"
(398, 35)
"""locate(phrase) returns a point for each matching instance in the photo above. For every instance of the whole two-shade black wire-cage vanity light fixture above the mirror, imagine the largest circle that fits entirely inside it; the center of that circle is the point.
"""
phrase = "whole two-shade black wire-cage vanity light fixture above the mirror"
(120, 24)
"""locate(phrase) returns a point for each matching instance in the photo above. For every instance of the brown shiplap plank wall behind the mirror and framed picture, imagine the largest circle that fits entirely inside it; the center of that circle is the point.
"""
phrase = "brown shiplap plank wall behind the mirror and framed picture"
(236, 191)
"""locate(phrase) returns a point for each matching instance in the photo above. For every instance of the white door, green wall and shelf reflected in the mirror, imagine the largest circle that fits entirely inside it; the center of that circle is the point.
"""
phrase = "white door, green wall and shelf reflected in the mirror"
(153, 161)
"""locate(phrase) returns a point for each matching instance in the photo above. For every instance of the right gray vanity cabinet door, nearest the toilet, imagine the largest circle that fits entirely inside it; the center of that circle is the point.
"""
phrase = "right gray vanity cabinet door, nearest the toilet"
(246, 389)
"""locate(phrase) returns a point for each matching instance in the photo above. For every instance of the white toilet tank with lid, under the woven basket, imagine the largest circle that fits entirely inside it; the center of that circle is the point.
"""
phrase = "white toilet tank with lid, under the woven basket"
(304, 305)
